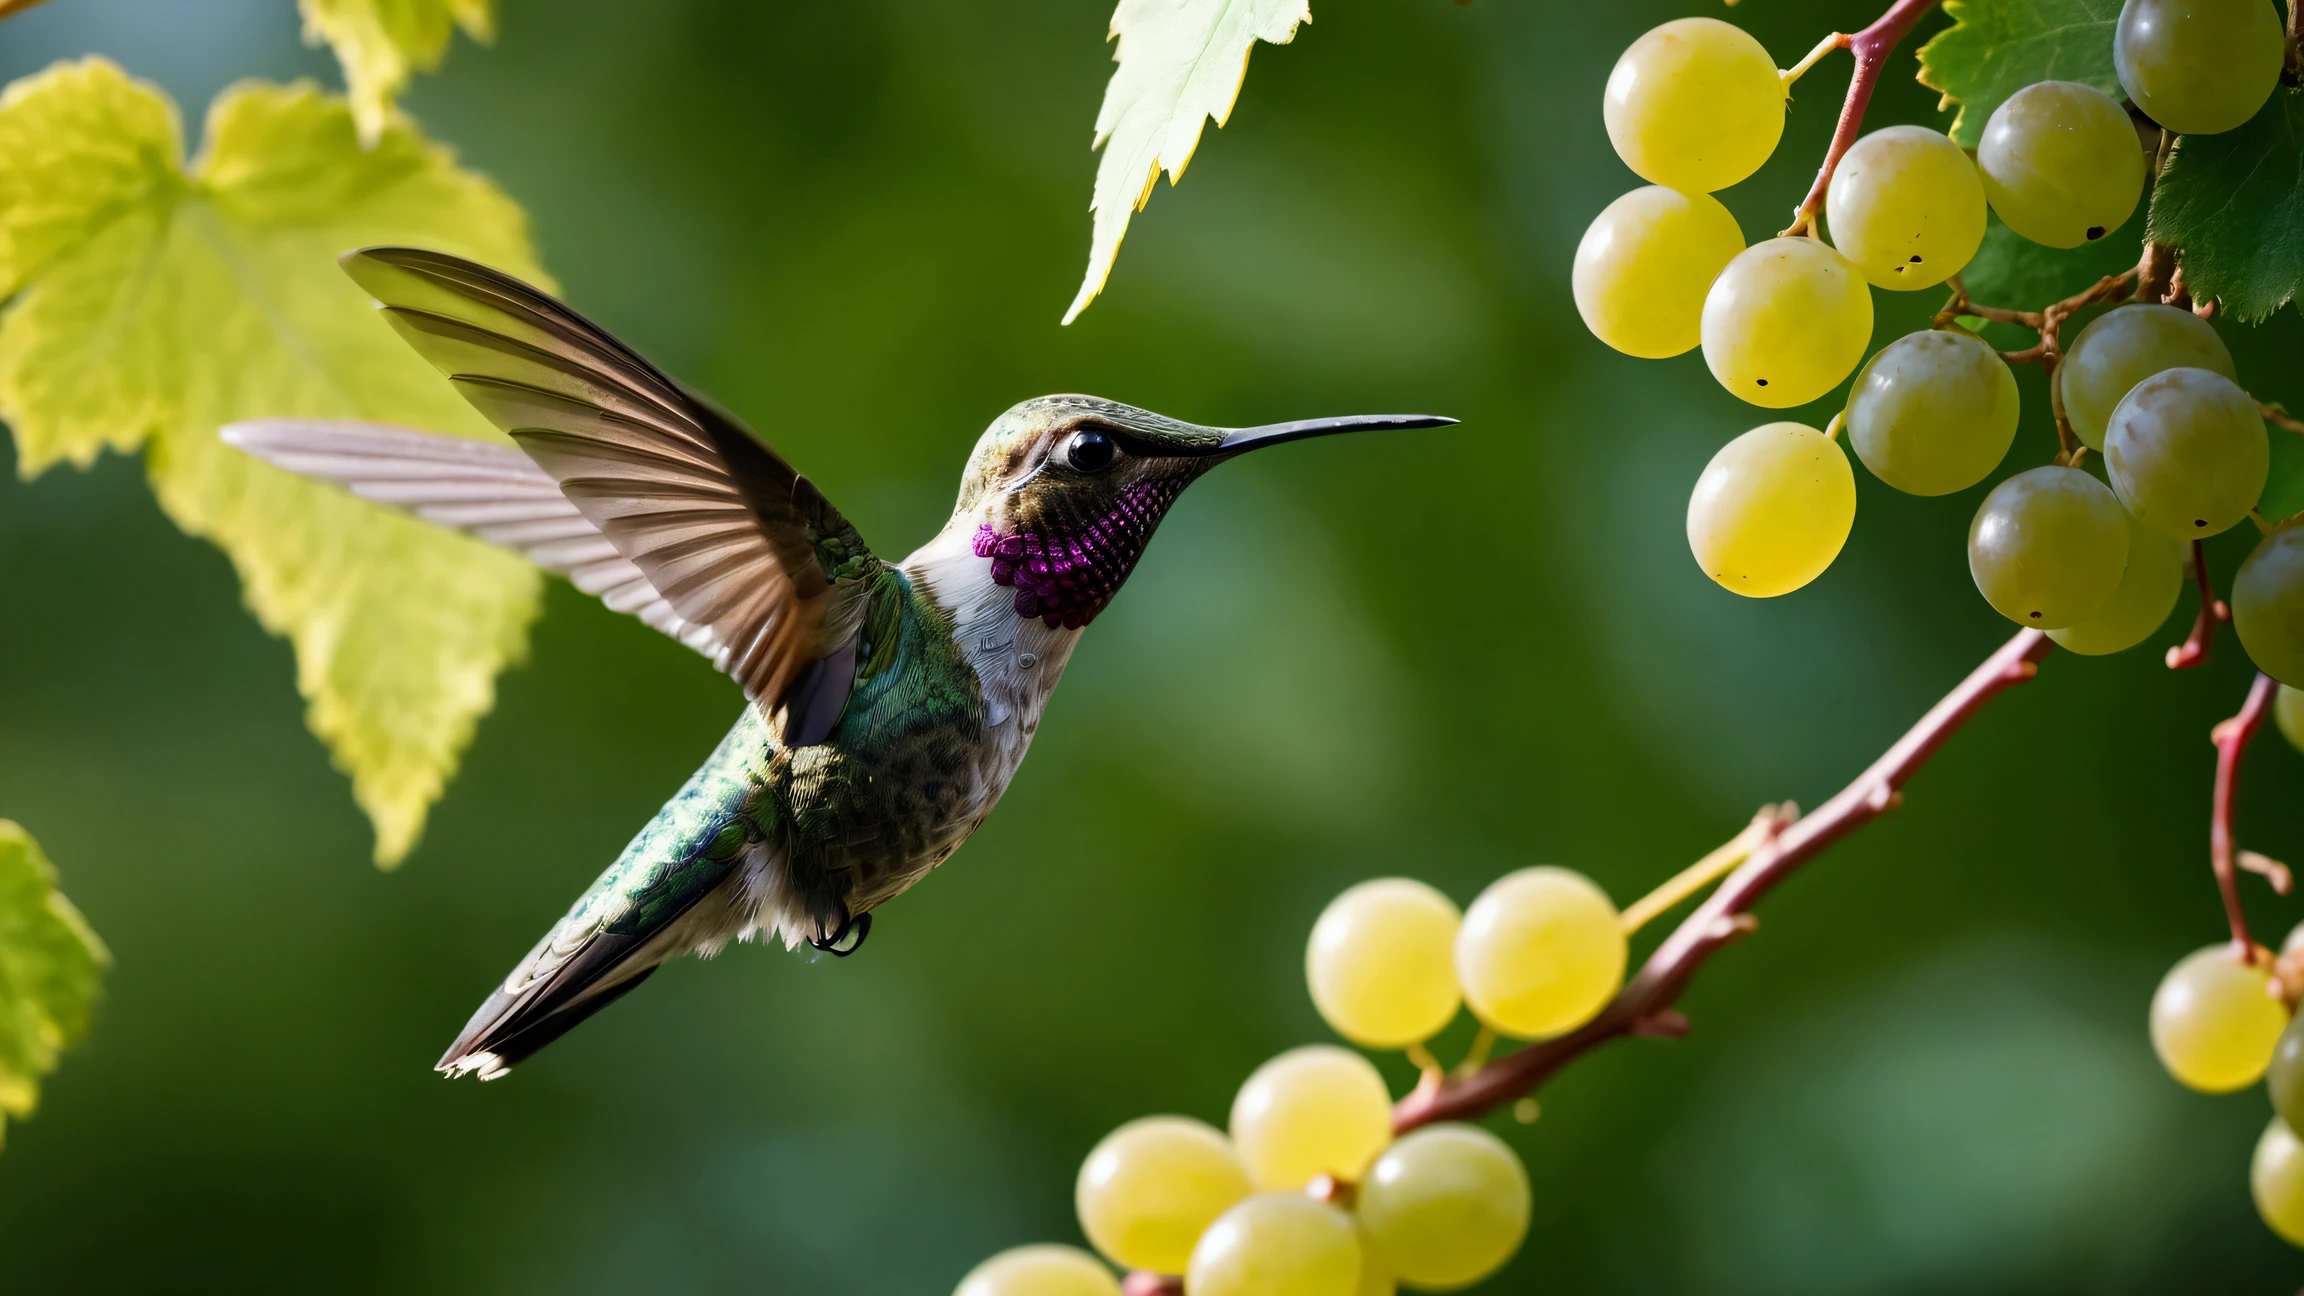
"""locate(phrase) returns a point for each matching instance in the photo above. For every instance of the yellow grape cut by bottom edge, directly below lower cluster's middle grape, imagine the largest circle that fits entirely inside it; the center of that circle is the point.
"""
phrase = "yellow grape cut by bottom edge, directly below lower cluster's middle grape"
(1280, 1244)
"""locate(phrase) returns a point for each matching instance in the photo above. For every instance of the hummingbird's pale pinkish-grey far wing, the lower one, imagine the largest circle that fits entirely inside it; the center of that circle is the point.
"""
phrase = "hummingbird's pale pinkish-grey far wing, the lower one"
(487, 490)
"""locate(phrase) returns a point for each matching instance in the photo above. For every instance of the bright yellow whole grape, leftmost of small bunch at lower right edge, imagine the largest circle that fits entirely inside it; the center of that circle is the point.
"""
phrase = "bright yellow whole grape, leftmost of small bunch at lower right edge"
(2215, 1020)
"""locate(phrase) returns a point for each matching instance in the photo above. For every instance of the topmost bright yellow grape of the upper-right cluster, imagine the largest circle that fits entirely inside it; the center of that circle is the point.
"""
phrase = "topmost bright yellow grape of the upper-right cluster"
(1695, 105)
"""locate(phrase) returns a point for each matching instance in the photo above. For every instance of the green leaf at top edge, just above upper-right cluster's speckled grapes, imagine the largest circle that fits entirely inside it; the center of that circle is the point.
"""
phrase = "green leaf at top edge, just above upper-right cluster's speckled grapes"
(1999, 47)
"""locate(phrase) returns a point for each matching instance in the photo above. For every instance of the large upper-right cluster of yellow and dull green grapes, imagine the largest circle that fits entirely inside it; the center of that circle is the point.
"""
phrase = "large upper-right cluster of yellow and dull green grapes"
(1699, 105)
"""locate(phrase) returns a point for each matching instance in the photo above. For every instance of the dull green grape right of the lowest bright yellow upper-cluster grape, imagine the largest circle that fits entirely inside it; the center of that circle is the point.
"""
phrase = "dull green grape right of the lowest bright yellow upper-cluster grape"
(1934, 412)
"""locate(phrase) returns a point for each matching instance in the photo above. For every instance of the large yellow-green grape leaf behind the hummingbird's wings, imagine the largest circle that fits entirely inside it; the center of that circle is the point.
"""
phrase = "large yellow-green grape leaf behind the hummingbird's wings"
(181, 301)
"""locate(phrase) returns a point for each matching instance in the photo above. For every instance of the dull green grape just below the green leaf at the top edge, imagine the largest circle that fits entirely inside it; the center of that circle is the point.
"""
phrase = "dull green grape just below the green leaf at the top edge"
(2061, 163)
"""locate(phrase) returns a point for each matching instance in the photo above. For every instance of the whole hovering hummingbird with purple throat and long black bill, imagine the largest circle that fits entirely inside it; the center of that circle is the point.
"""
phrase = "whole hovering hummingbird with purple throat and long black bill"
(888, 704)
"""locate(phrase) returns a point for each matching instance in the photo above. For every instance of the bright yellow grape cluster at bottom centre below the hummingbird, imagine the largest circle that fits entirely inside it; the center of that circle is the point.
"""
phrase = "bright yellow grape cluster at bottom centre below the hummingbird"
(1310, 1193)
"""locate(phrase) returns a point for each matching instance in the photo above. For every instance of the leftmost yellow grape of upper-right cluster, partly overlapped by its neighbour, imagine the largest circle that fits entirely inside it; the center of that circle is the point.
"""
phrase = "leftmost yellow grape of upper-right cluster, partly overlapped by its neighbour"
(1646, 264)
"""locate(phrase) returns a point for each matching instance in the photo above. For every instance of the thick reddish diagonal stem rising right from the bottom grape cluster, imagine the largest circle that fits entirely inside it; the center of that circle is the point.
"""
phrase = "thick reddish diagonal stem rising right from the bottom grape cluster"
(1784, 845)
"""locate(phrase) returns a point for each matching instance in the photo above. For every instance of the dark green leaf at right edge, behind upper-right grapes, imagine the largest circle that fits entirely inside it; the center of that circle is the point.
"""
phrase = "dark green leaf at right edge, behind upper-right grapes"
(2234, 206)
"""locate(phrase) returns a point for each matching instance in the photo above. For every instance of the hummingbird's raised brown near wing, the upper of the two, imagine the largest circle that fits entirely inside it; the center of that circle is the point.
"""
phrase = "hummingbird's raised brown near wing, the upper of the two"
(720, 527)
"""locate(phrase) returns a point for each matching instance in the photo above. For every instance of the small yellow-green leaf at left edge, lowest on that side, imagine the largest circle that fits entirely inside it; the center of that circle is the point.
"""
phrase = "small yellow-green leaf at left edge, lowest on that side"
(50, 965)
